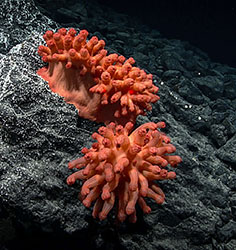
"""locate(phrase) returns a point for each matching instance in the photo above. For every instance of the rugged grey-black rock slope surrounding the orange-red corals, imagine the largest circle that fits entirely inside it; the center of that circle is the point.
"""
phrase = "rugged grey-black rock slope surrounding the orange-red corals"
(40, 134)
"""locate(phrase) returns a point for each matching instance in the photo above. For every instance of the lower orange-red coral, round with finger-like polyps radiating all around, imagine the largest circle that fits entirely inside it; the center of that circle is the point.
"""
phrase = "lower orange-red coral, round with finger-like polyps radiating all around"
(124, 166)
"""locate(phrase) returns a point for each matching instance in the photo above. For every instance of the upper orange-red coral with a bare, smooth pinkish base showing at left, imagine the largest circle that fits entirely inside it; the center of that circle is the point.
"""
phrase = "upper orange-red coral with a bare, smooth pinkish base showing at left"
(102, 87)
